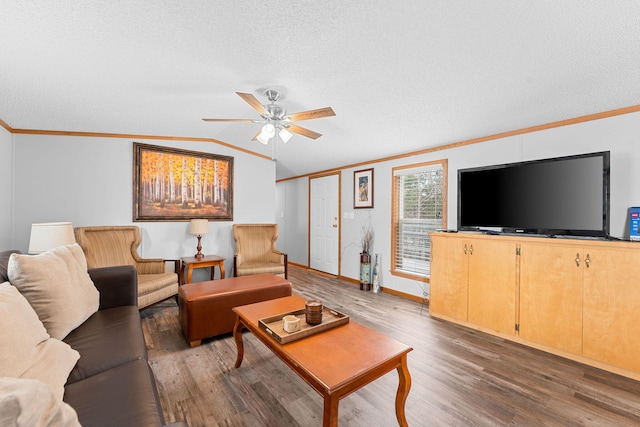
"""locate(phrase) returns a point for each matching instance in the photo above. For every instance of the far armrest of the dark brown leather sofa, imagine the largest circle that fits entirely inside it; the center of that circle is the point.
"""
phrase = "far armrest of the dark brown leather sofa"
(118, 286)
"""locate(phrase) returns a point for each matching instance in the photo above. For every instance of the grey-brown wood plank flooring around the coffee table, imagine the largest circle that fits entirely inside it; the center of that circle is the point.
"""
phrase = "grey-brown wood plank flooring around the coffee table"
(460, 377)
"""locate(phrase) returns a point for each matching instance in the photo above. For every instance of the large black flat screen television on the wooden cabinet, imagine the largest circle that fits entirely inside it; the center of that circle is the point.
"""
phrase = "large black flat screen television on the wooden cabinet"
(557, 196)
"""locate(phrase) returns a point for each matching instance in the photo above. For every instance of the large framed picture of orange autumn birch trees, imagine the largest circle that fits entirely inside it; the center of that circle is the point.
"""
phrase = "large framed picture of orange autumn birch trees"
(170, 184)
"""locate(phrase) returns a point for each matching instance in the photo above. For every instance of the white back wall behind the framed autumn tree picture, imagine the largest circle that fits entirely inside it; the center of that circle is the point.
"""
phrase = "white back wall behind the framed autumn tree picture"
(88, 181)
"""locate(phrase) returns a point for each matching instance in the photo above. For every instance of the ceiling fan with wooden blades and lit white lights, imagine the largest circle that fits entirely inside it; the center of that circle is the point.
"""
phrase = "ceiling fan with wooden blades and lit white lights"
(276, 120)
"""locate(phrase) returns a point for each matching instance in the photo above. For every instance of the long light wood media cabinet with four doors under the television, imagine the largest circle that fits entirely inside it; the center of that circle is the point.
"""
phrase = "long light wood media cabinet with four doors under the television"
(577, 298)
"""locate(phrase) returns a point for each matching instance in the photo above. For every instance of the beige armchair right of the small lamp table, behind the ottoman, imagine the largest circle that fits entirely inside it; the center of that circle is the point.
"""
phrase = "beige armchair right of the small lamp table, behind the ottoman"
(256, 250)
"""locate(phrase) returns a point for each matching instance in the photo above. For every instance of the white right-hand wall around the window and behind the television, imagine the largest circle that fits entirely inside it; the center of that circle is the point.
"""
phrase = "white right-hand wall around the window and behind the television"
(617, 134)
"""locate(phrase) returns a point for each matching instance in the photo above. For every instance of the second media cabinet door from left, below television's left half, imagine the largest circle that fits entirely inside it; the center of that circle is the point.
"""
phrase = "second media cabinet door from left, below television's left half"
(492, 285)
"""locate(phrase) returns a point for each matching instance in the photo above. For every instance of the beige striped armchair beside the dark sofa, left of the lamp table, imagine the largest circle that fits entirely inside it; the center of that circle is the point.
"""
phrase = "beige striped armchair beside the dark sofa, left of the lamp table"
(118, 245)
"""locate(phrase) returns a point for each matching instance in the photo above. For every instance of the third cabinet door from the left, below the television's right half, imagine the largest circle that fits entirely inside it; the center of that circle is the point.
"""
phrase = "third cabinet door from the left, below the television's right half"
(551, 295)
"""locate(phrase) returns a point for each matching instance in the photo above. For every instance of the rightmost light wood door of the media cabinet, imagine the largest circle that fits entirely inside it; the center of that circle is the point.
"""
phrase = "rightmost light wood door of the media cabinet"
(612, 307)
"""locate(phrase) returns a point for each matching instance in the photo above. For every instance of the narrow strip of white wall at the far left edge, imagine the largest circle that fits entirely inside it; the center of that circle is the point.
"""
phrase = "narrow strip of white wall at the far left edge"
(6, 193)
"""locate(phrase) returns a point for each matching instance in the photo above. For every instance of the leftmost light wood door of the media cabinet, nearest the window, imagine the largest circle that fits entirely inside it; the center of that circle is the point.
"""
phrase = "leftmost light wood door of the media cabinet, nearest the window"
(449, 276)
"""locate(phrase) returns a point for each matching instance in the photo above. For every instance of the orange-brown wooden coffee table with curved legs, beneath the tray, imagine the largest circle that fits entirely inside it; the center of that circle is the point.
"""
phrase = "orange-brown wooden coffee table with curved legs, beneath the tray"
(335, 362)
